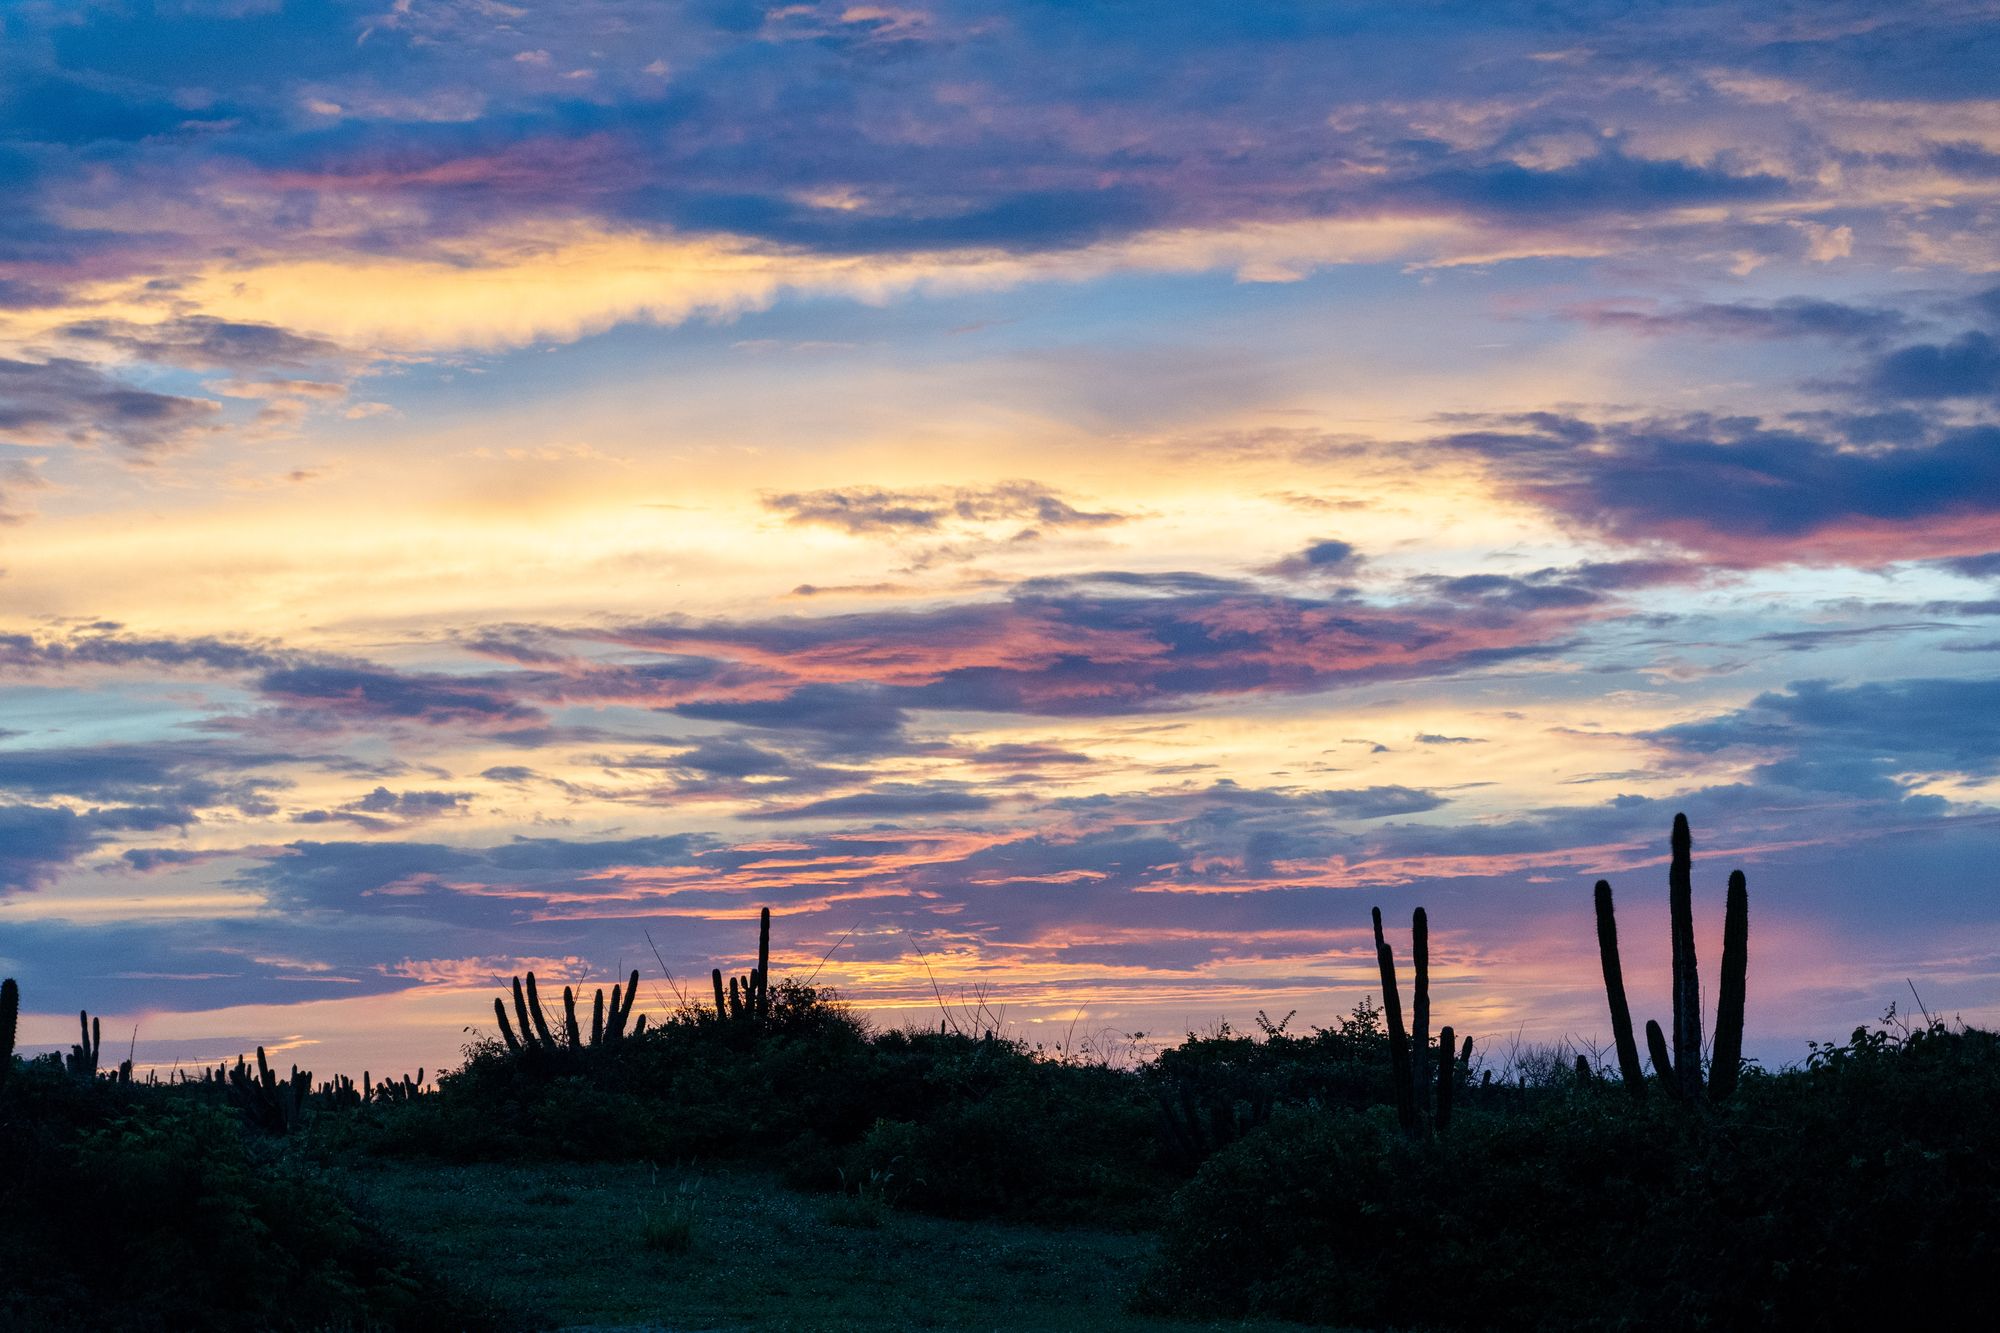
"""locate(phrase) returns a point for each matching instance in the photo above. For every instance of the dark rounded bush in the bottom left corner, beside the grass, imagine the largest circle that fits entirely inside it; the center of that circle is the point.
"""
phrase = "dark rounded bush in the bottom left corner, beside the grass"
(149, 1208)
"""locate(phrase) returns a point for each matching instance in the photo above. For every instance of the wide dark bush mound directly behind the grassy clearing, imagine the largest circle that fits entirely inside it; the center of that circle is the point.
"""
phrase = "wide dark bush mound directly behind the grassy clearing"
(969, 1126)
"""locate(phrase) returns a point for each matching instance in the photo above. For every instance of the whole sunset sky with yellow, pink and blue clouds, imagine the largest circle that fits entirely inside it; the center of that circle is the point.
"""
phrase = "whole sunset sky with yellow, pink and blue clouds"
(1069, 505)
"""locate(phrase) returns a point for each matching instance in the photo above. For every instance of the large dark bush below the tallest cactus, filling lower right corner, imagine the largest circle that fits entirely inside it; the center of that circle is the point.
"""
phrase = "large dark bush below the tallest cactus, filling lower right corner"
(1857, 1192)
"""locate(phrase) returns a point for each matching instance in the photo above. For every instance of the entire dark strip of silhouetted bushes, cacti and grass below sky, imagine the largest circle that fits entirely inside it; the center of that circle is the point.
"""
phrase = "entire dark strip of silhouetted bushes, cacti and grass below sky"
(1357, 1174)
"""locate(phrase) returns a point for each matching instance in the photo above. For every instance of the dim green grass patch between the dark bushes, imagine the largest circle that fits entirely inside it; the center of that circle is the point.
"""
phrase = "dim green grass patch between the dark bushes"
(571, 1248)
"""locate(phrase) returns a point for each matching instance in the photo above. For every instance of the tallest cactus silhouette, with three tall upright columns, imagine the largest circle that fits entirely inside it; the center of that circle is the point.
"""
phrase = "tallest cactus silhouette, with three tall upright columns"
(1681, 1068)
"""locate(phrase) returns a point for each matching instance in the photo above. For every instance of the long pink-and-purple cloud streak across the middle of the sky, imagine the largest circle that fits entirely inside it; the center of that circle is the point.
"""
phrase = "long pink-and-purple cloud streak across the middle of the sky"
(1113, 643)
